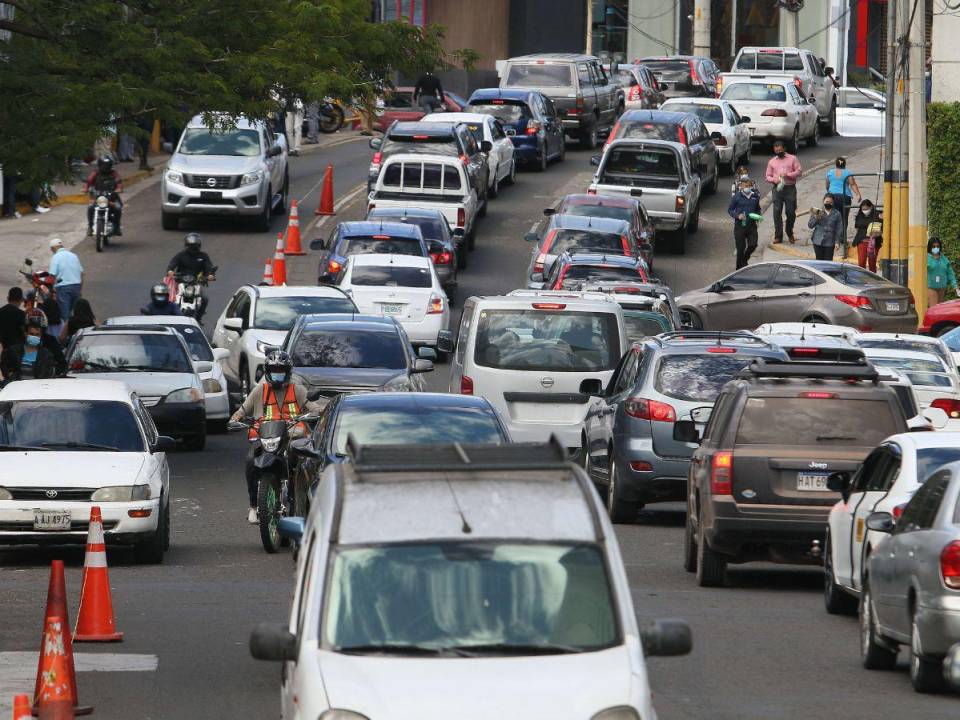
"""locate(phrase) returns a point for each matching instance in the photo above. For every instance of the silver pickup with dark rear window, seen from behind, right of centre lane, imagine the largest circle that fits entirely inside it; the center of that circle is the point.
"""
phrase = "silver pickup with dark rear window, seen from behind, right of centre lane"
(658, 172)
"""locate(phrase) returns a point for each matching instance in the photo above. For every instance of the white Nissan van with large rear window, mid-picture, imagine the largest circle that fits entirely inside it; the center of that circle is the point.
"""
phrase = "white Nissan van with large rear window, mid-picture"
(537, 355)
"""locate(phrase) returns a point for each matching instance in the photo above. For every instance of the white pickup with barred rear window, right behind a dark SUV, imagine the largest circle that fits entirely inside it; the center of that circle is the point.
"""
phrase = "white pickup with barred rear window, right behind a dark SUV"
(429, 181)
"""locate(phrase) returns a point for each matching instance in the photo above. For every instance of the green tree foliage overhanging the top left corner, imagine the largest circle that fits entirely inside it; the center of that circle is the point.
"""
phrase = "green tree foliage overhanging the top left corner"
(73, 69)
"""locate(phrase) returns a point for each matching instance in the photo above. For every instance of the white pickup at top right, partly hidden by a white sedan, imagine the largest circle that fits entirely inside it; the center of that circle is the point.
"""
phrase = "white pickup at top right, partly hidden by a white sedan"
(801, 67)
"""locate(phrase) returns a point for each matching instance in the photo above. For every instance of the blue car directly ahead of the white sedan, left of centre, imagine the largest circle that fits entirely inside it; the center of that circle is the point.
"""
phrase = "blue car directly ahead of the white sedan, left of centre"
(364, 237)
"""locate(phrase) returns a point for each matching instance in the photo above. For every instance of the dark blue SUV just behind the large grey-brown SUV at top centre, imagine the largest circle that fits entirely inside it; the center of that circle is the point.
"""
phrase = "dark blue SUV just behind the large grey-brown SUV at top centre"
(530, 120)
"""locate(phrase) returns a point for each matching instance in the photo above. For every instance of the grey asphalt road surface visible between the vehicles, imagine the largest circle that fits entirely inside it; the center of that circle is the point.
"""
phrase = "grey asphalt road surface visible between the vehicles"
(764, 647)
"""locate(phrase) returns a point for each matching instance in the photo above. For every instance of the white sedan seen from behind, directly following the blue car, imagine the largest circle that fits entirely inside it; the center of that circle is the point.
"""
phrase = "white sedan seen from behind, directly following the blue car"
(404, 287)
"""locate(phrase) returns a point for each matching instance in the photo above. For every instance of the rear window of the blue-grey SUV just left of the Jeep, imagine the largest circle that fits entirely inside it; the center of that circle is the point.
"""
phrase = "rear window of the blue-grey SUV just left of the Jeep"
(698, 378)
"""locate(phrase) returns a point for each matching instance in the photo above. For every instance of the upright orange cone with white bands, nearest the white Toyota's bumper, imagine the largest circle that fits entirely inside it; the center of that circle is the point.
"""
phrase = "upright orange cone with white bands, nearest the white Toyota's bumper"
(95, 618)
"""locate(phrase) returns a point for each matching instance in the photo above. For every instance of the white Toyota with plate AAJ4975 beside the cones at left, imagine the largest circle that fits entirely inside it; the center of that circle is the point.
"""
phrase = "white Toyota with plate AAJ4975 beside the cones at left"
(74, 443)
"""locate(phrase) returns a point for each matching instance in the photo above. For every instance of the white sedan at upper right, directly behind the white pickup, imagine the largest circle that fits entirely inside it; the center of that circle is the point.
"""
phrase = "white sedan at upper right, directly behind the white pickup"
(776, 109)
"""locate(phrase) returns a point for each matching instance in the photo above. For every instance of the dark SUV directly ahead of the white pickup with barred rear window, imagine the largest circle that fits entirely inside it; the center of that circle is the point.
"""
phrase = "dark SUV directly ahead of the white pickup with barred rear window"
(434, 139)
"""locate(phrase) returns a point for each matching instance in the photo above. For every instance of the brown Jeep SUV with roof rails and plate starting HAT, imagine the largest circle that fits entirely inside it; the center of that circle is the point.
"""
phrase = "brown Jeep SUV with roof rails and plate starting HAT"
(757, 488)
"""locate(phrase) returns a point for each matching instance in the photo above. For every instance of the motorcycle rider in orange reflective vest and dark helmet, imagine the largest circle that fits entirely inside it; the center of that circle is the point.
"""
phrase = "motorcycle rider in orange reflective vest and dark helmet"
(276, 397)
